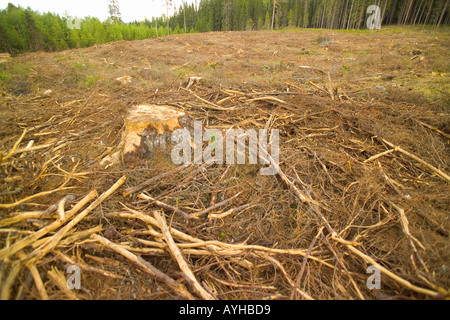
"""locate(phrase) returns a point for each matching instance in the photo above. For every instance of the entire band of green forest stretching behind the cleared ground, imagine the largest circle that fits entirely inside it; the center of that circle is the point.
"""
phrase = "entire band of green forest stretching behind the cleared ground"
(23, 30)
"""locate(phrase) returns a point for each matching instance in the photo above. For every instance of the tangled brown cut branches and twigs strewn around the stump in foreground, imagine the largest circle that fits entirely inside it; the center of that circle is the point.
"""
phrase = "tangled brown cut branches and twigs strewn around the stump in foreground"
(344, 198)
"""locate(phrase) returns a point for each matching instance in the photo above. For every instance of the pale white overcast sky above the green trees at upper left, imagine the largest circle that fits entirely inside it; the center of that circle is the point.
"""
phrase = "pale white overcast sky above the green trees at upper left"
(130, 9)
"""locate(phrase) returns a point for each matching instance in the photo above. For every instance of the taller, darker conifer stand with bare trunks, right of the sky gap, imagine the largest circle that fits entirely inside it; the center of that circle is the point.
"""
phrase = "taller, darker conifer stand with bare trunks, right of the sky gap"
(234, 15)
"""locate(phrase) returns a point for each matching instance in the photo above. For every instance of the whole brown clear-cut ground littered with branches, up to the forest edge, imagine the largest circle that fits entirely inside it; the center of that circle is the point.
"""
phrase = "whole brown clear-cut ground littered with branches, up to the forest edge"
(364, 137)
